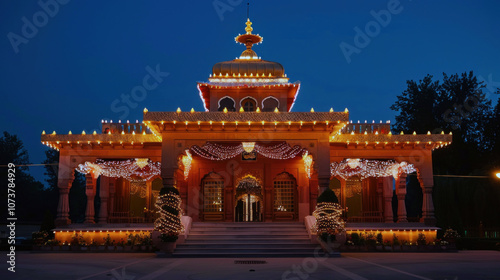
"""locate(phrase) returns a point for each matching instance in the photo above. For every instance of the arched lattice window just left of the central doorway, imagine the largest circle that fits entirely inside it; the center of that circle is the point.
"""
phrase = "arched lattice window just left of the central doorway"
(213, 193)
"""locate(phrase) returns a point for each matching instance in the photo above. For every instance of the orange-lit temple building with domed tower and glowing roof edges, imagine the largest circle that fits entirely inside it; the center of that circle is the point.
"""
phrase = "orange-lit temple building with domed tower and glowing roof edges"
(247, 158)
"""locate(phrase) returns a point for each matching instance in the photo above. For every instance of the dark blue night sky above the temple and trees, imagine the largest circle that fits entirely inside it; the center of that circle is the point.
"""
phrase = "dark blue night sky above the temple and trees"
(89, 53)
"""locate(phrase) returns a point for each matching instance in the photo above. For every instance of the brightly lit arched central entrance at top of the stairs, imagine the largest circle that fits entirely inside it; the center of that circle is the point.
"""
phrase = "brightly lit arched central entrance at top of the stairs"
(248, 201)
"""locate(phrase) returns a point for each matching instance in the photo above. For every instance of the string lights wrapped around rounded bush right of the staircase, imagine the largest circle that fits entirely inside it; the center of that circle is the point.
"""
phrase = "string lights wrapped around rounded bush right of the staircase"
(328, 219)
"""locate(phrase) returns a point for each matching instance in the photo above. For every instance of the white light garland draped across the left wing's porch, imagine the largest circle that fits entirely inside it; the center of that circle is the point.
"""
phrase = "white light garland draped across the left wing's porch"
(127, 169)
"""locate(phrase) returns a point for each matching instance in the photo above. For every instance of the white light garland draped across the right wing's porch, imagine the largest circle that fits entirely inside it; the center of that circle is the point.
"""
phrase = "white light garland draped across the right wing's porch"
(370, 168)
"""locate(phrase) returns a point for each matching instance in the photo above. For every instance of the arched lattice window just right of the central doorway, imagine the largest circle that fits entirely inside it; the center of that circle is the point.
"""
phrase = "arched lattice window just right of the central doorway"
(285, 187)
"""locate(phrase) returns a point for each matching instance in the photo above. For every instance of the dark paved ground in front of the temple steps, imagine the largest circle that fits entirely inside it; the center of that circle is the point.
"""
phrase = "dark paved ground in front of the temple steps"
(358, 266)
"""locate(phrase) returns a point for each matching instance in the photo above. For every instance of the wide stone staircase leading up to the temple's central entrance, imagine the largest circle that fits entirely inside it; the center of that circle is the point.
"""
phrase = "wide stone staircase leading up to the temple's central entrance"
(246, 240)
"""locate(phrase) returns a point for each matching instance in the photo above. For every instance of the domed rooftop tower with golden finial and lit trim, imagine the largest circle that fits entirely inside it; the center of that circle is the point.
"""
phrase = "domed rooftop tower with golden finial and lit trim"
(248, 83)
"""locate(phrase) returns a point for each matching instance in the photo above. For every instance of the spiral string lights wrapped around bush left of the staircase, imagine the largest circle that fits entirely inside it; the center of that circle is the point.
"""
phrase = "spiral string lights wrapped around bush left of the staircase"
(168, 223)
